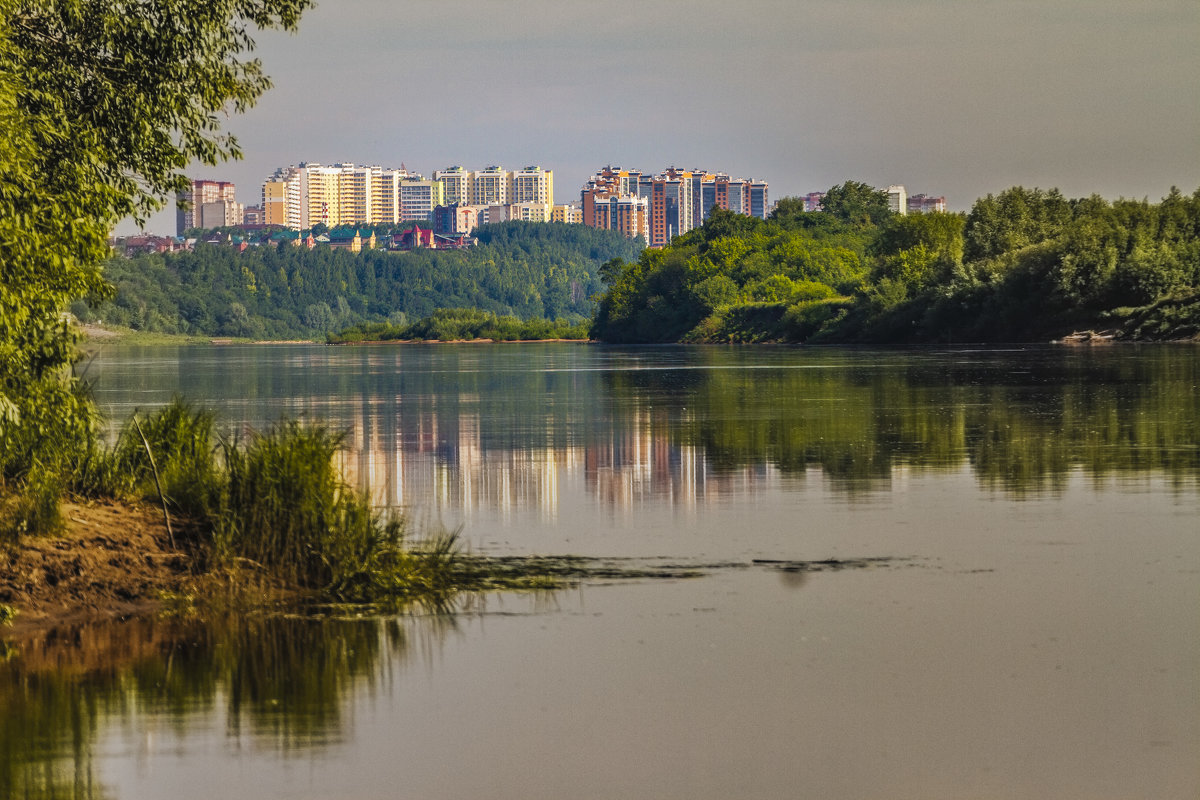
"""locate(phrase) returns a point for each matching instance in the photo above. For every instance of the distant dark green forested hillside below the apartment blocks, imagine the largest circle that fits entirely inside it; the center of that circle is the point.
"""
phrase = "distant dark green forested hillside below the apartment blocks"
(519, 269)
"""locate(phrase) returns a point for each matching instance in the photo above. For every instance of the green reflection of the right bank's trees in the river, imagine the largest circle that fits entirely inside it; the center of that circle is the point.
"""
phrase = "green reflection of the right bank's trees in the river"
(1023, 422)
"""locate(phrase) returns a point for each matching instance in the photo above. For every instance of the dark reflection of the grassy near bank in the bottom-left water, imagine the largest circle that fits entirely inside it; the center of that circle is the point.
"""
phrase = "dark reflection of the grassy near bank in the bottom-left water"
(285, 683)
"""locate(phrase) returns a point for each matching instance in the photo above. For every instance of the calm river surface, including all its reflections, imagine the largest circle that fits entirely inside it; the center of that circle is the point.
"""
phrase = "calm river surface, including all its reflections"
(1037, 637)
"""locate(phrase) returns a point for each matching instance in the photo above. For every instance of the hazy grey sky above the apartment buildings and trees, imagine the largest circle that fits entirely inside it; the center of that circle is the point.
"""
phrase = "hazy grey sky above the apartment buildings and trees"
(949, 98)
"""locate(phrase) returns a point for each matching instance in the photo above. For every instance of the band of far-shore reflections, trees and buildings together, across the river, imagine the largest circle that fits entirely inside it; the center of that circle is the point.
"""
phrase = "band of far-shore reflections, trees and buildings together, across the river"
(502, 430)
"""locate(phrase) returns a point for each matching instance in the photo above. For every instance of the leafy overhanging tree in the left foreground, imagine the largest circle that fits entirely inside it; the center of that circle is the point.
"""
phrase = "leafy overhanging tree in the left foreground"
(103, 109)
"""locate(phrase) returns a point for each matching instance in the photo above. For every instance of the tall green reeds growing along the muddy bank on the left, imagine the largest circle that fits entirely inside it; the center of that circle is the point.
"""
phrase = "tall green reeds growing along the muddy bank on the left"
(275, 500)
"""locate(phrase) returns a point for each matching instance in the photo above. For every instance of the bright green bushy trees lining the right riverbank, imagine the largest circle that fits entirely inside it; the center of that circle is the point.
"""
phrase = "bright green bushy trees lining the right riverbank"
(1023, 266)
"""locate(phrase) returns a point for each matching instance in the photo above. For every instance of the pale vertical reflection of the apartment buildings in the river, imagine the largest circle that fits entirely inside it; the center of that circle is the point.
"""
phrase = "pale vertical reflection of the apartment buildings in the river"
(445, 461)
